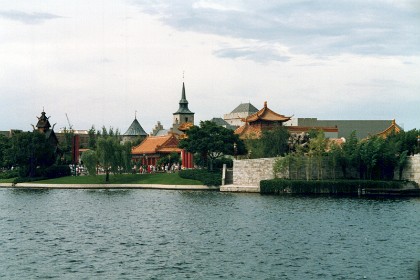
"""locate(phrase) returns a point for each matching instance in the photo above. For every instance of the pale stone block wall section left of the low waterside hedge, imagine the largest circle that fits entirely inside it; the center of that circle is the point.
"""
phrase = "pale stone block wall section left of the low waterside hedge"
(249, 172)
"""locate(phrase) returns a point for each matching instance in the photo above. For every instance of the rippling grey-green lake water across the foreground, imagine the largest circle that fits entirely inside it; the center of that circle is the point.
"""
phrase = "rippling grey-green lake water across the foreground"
(158, 234)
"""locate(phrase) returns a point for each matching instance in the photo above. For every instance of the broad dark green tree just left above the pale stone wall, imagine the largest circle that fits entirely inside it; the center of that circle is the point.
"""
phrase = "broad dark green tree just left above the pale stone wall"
(211, 142)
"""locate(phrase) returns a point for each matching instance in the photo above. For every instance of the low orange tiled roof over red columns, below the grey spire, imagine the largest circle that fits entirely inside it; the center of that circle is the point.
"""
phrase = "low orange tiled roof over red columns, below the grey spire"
(157, 144)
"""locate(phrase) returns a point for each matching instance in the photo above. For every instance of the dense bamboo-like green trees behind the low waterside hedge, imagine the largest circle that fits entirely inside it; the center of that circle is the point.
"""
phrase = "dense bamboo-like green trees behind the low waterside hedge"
(375, 157)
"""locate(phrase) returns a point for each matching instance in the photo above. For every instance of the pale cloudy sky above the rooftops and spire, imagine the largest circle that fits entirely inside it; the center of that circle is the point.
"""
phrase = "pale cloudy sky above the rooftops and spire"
(99, 61)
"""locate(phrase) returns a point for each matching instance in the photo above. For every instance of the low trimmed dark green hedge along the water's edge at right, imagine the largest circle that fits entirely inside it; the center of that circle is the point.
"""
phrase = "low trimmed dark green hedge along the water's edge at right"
(281, 186)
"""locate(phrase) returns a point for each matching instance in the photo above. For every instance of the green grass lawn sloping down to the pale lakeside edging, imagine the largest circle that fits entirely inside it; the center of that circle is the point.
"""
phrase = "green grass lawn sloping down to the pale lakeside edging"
(157, 178)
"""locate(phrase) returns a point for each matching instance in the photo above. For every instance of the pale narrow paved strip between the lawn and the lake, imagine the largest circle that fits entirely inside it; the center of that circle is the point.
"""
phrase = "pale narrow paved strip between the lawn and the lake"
(106, 186)
